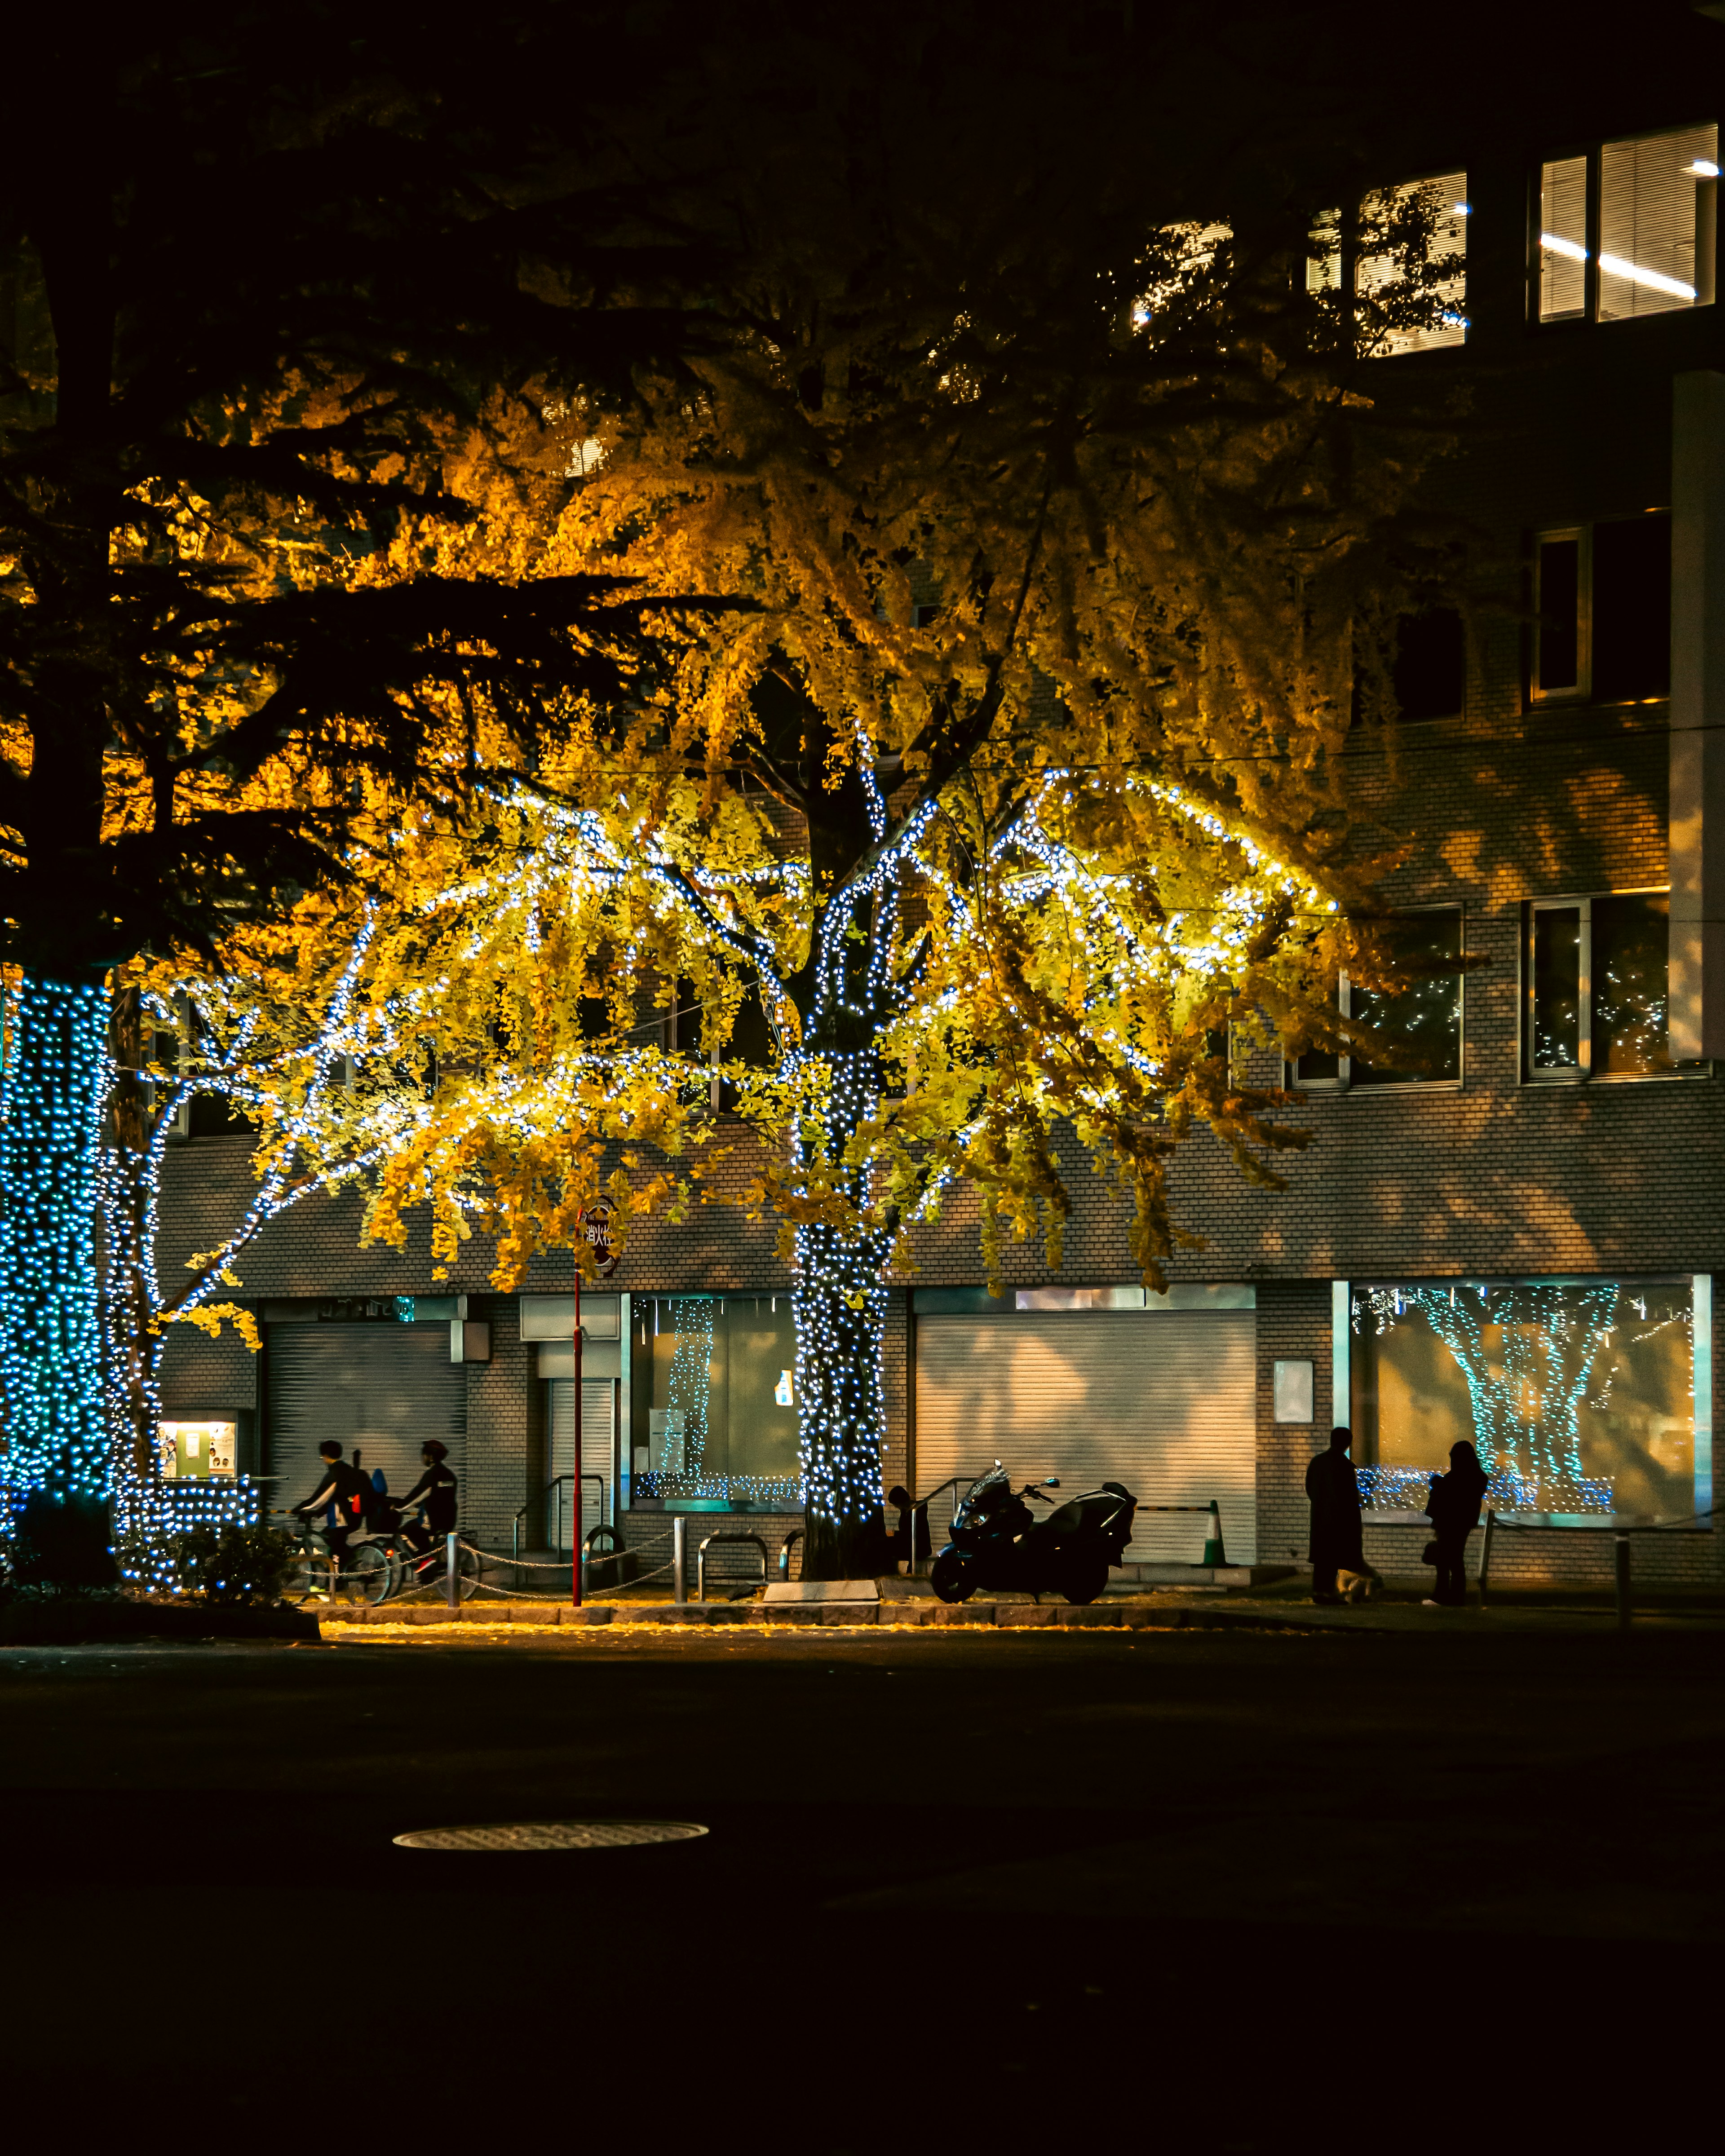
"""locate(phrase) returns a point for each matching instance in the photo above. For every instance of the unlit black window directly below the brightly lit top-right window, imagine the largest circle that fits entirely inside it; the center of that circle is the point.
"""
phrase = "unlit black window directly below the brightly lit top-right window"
(1603, 603)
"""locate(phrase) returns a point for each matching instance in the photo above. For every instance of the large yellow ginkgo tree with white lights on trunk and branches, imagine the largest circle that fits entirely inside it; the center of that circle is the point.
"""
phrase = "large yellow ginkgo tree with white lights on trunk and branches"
(1015, 807)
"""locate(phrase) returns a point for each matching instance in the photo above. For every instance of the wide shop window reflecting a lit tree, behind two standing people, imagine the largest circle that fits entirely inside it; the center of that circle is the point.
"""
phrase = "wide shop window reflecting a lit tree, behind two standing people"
(1579, 1396)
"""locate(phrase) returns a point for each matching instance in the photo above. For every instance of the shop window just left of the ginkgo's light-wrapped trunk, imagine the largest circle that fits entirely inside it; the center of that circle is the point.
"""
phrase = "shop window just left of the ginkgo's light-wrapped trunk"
(713, 1415)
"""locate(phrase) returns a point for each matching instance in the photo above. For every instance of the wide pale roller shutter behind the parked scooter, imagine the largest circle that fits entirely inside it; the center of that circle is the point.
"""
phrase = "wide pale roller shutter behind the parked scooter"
(1161, 1402)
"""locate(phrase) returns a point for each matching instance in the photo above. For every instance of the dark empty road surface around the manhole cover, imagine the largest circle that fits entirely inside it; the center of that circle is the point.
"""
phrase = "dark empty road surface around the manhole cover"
(978, 1892)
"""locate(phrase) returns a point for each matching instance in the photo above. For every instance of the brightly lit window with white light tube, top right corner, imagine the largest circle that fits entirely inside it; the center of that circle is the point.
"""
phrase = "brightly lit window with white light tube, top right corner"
(1629, 227)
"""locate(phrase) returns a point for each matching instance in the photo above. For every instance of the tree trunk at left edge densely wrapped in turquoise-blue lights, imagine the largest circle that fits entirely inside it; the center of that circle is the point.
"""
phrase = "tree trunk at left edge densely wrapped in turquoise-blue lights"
(51, 1170)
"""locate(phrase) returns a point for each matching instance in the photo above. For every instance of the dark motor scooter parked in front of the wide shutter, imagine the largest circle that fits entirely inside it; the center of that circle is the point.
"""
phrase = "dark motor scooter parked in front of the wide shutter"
(999, 1543)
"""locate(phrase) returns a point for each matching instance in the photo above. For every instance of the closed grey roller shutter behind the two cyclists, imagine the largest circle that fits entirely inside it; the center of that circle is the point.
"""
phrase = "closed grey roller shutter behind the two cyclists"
(378, 1387)
